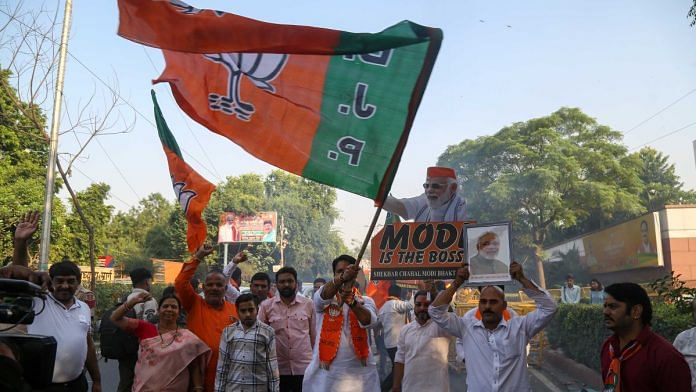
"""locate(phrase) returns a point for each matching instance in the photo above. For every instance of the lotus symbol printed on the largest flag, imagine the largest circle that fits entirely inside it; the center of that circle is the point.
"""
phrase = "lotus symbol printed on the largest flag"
(260, 68)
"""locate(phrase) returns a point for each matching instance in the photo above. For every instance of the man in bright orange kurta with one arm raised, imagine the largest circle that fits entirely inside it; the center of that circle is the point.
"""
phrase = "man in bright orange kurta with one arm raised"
(208, 316)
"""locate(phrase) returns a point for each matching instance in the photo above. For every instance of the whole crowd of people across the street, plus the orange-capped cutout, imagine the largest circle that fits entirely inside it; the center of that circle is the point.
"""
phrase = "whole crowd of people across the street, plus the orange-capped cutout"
(224, 340)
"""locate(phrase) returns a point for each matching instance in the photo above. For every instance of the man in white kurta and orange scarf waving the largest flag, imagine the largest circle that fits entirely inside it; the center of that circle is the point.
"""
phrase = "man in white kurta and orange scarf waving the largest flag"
(342, 360)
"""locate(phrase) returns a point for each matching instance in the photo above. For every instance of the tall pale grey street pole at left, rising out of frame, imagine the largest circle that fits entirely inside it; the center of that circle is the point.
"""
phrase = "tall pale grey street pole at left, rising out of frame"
(53, 149)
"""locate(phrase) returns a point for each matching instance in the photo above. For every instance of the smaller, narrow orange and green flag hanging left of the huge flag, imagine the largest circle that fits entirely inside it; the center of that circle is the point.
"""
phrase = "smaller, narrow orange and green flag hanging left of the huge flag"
(191, 189)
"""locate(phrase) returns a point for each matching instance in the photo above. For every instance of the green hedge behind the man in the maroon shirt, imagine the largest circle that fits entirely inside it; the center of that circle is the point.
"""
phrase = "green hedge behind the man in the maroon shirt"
(579, 329)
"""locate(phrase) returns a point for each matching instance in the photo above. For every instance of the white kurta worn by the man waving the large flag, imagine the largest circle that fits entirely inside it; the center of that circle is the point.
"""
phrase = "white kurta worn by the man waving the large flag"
(346, 373)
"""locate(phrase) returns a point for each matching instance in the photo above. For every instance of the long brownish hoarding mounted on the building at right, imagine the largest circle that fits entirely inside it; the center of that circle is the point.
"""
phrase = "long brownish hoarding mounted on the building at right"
(629, 245)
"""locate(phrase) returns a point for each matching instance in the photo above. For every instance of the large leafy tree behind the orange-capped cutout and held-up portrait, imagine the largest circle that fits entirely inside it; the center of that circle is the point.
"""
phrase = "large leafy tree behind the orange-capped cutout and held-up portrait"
(549, 172)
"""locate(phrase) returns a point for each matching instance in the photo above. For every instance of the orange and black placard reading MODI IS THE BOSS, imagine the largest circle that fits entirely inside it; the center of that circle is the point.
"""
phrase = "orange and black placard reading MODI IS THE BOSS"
(418, 250)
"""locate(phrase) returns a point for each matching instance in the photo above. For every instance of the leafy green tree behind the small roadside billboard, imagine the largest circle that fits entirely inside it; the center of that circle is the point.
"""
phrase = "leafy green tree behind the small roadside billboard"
(307, 209)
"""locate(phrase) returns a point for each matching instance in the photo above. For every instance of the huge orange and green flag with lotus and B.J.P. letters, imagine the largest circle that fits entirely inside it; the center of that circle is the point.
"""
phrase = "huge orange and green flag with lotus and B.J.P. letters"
(331, 106)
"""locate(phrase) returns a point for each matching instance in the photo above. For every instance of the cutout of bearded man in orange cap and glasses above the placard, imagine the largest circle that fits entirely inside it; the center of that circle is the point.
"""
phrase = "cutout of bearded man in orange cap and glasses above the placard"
(439, 203)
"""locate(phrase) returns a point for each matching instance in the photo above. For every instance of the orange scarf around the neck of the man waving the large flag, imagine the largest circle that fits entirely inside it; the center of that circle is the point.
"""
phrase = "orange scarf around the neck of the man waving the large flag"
(330, 338)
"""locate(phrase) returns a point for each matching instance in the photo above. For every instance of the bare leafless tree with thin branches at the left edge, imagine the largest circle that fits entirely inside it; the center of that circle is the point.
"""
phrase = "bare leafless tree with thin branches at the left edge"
(28, 47)
